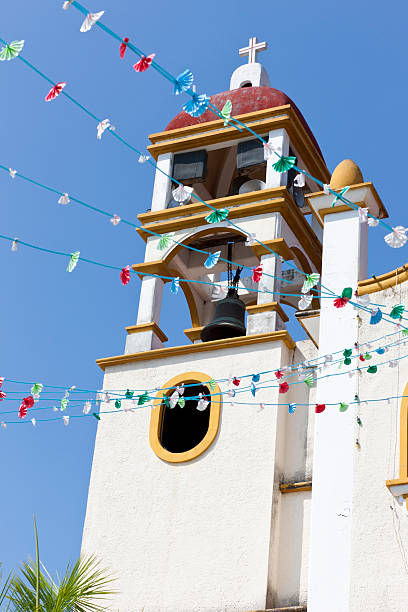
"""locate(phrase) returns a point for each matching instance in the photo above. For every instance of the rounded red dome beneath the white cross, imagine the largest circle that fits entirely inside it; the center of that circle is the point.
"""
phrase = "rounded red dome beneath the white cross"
(244, 100)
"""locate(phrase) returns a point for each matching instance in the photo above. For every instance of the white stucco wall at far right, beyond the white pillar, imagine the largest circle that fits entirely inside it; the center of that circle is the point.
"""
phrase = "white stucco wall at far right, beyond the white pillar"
(379, 578)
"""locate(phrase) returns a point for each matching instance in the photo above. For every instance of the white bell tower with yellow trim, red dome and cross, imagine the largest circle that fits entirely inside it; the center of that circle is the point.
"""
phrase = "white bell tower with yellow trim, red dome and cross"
(183, 499)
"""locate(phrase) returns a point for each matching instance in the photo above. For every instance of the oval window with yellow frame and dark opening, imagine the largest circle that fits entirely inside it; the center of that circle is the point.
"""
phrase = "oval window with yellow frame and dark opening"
(186, 418)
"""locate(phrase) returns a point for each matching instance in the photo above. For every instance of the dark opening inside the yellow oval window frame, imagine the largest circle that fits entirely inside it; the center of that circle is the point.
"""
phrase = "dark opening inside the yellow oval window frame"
(181, 429)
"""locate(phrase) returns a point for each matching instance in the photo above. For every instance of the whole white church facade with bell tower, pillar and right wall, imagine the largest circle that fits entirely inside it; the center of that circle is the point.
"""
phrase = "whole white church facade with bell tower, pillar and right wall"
(256, 499)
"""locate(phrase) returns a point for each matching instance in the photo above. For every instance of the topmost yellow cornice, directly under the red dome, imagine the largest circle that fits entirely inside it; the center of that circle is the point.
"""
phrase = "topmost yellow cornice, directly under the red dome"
(262, 121)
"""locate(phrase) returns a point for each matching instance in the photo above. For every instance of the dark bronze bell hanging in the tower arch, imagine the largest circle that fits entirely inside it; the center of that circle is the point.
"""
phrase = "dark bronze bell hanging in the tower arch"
(229, 319)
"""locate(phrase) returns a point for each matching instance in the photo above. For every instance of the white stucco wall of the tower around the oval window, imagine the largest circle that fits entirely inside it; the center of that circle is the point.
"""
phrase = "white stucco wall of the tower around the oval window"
(194, 536)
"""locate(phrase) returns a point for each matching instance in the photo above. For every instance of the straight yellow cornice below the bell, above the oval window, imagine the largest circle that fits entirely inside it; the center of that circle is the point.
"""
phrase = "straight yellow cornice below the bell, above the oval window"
(213, 345)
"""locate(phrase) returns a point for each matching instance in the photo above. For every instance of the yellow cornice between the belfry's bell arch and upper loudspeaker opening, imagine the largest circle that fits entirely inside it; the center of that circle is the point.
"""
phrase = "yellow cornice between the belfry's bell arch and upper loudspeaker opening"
(268, 201)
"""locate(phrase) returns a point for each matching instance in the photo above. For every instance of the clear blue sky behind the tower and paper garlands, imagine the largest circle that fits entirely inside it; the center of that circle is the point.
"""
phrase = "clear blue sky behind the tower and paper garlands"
(342, 63)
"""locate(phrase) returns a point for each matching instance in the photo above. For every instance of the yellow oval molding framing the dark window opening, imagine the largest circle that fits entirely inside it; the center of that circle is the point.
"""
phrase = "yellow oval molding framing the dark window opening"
(157, 415)
